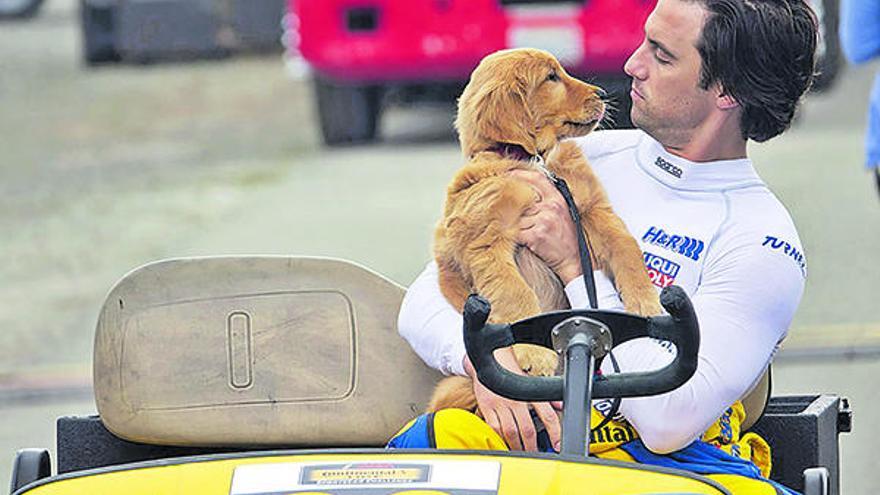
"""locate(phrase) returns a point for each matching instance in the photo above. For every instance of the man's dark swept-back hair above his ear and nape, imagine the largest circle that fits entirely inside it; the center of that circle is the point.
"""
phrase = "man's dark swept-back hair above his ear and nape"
(763, 54)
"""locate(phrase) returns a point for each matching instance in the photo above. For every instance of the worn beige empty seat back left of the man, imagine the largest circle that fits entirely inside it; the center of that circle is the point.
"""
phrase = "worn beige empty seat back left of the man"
(268, 351)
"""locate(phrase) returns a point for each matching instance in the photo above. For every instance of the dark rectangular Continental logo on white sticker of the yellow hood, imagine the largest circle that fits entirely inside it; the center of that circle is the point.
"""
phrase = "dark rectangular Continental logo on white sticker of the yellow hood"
(365, 474)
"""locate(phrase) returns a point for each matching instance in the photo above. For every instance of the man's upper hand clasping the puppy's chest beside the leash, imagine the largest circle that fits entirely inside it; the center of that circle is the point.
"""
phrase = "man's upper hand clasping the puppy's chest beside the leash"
(547, 229)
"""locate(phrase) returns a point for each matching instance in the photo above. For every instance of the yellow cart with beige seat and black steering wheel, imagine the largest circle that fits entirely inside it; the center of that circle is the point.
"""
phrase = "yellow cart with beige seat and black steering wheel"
(271, 375)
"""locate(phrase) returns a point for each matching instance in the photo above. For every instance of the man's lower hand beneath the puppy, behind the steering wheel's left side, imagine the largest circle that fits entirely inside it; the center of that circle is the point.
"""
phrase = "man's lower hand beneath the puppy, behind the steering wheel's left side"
(511, 419)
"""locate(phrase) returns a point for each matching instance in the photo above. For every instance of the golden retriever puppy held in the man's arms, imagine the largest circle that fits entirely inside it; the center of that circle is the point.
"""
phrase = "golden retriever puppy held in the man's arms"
(514, 113)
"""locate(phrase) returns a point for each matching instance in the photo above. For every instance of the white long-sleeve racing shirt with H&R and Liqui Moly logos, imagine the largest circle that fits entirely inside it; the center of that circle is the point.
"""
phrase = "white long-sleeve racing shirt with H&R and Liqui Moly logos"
(714, 229)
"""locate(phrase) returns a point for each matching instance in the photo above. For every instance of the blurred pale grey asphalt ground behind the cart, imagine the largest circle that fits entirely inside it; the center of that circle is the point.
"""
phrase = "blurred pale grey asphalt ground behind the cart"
(104, 170)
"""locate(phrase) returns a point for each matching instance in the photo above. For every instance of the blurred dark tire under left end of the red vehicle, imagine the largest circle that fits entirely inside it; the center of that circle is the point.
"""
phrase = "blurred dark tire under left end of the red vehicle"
(349, 114)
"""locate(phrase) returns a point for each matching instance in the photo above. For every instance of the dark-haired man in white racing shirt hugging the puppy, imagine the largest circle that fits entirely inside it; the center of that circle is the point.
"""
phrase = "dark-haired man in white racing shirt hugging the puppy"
(709, 75)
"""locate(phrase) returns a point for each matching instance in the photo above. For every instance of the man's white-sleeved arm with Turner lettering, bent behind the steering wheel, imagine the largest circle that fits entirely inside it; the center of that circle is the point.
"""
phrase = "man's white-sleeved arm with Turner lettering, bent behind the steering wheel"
(744, 304)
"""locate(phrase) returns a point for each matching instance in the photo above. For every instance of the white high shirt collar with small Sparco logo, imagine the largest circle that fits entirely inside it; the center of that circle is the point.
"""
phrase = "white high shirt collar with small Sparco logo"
(679, 173)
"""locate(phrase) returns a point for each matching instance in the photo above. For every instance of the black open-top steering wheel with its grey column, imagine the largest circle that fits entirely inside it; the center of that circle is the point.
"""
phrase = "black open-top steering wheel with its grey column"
(582, 336)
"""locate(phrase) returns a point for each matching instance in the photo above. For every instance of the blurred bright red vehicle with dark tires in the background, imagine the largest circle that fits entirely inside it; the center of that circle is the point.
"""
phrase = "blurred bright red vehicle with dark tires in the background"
(362, 51)
